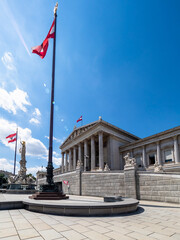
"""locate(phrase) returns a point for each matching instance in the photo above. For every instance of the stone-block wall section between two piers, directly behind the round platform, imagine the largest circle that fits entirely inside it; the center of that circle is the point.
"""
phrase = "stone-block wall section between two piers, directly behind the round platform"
(103, 184)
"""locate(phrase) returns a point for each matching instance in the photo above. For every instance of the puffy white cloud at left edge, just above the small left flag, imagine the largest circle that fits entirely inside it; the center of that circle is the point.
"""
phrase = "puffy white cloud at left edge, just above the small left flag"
(13, 101)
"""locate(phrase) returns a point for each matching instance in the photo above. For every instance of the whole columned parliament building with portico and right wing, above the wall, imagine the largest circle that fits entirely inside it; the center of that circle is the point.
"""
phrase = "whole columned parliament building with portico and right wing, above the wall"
(100, 144)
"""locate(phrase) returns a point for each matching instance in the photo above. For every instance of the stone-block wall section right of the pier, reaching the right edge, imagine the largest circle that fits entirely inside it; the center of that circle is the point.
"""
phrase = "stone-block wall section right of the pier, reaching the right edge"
(158, 187)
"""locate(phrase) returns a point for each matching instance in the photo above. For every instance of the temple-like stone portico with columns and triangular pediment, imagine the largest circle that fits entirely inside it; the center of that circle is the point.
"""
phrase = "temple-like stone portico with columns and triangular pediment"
(94, 145)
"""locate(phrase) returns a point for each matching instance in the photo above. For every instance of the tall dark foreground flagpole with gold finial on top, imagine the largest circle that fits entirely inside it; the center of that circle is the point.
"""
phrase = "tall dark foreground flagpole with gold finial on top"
(49, 175)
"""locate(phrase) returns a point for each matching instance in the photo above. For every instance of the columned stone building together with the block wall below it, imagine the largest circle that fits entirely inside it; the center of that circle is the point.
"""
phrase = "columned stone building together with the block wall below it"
(99, 159)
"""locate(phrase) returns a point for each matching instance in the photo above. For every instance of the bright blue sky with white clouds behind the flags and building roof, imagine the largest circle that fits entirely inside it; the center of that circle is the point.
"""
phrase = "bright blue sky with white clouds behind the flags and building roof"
(118, 60)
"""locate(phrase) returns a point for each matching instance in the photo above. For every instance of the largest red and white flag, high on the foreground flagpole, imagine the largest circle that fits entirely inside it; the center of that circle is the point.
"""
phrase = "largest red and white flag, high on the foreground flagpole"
(42, 49)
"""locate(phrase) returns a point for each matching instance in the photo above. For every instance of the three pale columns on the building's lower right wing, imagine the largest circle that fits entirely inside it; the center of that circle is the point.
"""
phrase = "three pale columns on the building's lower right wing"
(176, 152)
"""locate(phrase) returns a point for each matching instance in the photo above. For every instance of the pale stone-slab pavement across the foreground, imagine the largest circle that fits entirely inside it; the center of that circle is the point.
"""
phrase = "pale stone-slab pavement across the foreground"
(152, 221)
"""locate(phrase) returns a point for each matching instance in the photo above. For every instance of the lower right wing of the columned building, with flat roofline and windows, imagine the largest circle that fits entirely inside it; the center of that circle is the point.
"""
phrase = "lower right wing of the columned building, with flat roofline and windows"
(161, 149)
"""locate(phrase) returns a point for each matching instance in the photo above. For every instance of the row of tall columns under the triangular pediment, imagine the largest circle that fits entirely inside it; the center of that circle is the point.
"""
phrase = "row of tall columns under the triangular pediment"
(72, 155)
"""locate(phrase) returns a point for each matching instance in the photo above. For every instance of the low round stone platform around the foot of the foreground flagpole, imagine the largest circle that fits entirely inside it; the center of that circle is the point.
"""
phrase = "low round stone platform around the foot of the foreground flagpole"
(80, 207)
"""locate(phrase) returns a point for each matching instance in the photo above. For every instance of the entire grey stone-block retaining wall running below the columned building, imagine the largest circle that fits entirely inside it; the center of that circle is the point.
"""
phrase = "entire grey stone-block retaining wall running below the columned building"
(142, 185)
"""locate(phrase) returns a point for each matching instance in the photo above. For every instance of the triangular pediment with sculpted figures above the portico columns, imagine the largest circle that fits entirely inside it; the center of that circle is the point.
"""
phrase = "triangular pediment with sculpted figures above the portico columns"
(78, 131)
